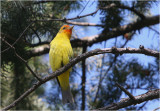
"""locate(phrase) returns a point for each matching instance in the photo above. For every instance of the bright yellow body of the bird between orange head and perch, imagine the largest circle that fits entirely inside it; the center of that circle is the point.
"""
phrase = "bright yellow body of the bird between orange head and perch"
(60, 52)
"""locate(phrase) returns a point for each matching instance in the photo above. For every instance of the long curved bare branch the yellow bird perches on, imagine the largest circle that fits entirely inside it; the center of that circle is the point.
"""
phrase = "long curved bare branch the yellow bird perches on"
(76, 60)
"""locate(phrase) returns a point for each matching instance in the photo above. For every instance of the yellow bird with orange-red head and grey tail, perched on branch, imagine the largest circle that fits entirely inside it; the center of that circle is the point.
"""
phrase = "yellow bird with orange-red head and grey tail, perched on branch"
(59, 55)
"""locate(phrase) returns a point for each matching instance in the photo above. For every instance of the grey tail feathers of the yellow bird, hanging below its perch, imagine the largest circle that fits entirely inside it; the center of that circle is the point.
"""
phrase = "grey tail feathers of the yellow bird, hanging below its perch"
(67, 96)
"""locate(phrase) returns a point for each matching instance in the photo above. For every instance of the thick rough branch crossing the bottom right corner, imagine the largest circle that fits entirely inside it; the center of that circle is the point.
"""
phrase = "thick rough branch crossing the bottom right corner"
(150, 95)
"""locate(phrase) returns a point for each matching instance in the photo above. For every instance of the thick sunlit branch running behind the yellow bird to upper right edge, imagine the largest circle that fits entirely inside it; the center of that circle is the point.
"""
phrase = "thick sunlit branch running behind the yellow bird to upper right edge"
(88, 41)
